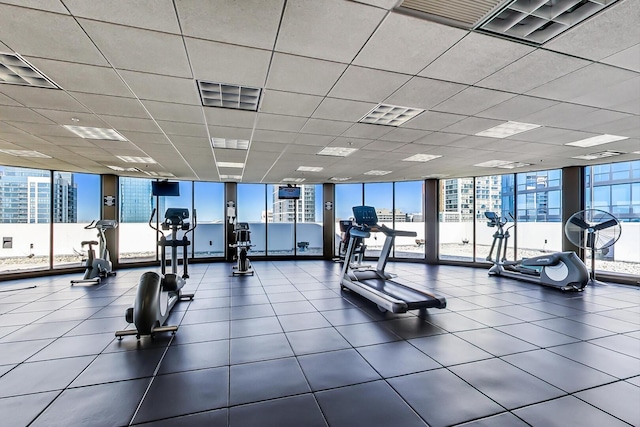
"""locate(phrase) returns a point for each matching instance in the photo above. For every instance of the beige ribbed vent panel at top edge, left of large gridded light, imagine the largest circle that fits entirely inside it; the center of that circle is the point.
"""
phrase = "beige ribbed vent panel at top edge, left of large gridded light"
(464, 13)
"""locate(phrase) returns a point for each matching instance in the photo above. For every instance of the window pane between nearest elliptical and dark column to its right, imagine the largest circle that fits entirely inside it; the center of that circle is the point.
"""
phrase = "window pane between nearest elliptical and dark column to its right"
(210, 206)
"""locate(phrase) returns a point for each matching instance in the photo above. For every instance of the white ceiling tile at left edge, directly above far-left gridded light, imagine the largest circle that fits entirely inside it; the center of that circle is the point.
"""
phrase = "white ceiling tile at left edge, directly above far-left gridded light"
(47, 35)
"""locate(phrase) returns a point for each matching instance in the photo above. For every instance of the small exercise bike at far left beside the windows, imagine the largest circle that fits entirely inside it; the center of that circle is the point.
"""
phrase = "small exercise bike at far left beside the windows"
(97, 268)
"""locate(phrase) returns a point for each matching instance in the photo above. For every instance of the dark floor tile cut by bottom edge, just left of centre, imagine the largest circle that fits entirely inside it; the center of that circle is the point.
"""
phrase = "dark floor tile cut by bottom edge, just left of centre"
(286, 412)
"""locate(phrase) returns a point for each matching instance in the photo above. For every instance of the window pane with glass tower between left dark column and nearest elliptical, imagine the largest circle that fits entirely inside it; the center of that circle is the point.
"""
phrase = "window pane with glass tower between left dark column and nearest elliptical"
(137, 241)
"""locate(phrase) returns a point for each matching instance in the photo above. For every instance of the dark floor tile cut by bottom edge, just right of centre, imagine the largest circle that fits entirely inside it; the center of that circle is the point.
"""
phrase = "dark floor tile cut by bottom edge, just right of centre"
(384, 407)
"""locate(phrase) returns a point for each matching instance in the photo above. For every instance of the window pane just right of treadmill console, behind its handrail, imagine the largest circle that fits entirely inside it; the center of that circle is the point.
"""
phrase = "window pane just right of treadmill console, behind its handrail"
(409, 197)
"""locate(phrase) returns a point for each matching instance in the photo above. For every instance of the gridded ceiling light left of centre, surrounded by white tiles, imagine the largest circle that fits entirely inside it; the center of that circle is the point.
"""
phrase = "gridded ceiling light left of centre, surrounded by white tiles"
(225, 95)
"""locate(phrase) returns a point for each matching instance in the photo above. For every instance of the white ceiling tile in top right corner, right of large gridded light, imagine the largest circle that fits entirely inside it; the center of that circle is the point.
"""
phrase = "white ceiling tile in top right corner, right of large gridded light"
(609, 32)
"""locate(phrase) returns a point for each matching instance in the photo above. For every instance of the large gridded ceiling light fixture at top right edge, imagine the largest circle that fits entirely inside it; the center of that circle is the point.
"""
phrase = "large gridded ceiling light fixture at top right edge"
(537, 21)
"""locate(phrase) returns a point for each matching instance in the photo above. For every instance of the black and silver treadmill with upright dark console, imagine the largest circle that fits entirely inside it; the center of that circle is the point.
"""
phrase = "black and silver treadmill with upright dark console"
(384, 289)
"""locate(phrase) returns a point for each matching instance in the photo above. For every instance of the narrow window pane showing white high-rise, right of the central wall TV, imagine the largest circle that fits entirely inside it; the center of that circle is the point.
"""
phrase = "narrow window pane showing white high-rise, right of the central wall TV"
(309, 222)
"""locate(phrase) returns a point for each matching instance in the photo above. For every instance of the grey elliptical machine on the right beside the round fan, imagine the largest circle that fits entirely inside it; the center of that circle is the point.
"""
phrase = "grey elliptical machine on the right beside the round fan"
(563, 270)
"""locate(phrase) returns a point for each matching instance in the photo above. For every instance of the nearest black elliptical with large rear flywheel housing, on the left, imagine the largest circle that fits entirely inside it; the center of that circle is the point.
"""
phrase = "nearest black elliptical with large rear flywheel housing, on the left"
(157, 294)
